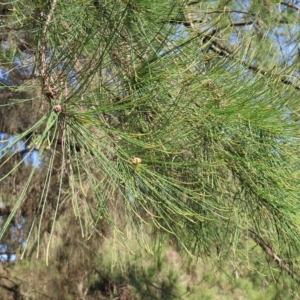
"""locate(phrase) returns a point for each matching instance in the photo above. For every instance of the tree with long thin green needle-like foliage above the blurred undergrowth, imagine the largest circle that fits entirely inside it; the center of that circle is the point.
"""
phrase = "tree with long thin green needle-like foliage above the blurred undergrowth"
(175, 118)
